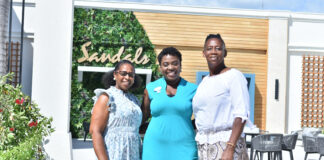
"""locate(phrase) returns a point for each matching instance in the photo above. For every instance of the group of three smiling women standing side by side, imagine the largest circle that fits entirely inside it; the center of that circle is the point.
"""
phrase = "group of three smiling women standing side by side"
(220, 106)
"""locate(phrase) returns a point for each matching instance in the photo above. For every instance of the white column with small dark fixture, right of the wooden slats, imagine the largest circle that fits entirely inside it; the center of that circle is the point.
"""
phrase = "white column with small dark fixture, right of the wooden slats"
(277, 69)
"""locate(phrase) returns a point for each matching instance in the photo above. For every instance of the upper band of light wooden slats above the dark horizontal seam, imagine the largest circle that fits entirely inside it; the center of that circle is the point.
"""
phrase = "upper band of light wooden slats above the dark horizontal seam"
(190, 30)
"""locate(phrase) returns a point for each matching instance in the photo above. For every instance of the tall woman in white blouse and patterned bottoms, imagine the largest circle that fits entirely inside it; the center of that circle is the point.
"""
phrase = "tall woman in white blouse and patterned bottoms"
(220, 106)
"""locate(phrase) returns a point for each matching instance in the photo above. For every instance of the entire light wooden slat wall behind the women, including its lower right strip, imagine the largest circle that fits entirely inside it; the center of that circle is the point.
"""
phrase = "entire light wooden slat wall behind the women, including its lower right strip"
(246, 41)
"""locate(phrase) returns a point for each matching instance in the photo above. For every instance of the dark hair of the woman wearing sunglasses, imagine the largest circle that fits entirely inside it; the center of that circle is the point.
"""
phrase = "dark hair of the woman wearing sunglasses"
(108, 78)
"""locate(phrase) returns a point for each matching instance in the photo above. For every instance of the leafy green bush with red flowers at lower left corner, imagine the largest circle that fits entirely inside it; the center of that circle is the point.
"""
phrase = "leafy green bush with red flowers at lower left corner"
(22, 127)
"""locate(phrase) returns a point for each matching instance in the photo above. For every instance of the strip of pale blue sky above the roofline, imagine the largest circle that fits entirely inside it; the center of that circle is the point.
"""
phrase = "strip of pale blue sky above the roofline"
(303, 6)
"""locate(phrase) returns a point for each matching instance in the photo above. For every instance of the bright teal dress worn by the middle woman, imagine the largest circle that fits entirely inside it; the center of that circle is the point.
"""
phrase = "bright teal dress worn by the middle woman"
(170, 134)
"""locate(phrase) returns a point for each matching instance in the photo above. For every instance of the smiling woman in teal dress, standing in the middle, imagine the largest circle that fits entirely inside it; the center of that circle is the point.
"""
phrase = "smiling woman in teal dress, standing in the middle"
(170, 134)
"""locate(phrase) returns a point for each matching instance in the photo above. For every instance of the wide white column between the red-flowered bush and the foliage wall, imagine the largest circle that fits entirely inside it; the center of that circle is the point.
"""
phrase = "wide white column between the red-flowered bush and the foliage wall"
(51, 82)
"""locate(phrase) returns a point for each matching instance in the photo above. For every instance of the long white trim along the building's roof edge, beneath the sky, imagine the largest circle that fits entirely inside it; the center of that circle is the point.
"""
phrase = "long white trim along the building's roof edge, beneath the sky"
(246, 13)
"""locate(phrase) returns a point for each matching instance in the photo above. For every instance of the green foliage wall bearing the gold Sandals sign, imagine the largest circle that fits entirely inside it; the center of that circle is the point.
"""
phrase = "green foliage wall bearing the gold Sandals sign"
(101, 38)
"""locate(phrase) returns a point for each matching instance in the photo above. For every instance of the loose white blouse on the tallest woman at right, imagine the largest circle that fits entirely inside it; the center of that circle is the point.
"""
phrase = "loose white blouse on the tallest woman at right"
(218, 101)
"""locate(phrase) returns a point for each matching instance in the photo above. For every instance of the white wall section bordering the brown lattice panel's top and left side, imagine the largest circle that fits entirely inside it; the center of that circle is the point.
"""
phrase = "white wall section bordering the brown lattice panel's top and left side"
(305, 38)
